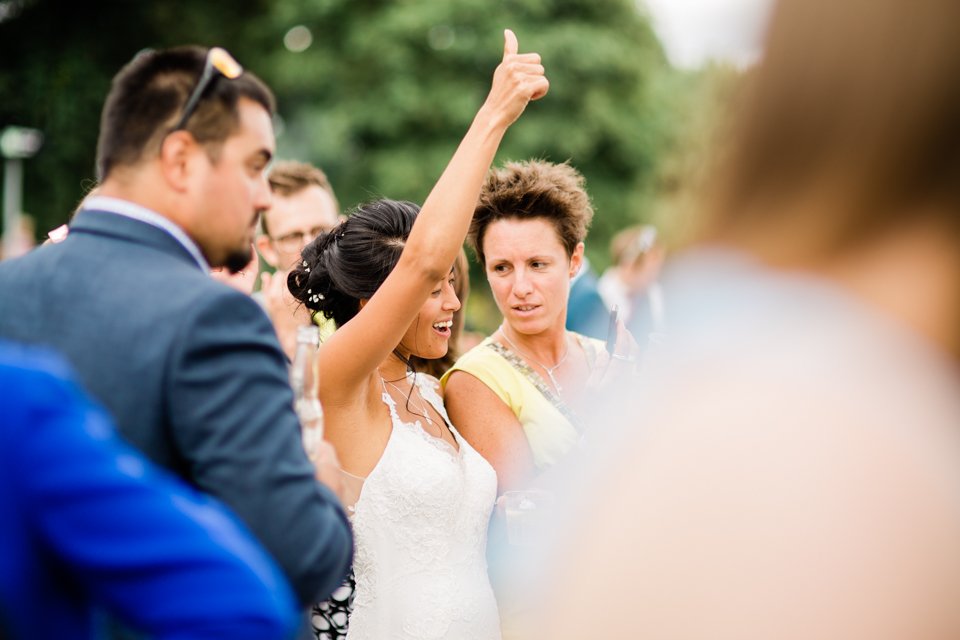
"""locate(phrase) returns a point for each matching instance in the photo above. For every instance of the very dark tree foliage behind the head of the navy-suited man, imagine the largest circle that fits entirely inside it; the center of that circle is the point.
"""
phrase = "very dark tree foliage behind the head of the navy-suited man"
(56, 61)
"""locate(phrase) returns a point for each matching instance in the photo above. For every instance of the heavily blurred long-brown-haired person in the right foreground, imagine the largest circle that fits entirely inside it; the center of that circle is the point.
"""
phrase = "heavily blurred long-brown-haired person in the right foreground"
(791, 466)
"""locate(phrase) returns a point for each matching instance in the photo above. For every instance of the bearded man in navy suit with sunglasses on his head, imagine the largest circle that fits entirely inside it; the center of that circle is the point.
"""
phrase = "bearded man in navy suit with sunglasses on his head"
(190, 369)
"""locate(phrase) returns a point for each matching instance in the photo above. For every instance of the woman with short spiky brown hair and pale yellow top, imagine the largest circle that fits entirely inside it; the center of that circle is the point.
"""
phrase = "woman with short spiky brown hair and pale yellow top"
(519, 396)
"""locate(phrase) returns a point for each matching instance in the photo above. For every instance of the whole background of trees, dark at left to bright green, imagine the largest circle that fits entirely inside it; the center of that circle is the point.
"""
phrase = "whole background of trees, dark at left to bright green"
(379, 99)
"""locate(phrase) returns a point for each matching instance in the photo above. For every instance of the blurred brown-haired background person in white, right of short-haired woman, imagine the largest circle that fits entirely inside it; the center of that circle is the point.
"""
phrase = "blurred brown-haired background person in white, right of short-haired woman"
(630, 283)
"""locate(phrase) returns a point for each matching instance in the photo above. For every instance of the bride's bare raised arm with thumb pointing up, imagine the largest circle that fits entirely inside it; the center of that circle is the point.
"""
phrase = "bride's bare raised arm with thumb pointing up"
(356, 349)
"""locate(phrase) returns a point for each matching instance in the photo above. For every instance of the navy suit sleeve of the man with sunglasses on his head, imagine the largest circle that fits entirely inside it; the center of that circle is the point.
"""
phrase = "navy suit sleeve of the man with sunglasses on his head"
(231, 411)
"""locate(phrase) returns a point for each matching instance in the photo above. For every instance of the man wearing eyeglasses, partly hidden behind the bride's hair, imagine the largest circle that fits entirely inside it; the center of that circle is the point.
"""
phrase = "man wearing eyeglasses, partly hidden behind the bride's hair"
(304, 206)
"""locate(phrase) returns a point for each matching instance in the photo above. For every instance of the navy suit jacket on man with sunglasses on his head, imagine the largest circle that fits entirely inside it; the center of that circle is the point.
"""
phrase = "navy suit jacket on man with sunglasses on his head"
(191, 372)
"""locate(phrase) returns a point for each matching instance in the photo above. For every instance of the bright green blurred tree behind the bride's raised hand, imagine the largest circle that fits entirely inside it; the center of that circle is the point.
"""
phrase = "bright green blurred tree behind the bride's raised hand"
(387, 88)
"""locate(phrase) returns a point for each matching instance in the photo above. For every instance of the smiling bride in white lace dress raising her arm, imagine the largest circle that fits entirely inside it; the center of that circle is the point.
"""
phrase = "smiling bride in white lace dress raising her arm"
(424, 496)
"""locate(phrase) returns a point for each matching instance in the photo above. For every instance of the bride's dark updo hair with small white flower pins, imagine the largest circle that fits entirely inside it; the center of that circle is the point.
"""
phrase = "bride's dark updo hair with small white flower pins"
(351, 261)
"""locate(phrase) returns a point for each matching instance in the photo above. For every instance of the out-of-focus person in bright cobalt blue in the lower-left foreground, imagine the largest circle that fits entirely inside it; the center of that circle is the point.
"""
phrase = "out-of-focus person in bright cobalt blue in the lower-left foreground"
(90, 527)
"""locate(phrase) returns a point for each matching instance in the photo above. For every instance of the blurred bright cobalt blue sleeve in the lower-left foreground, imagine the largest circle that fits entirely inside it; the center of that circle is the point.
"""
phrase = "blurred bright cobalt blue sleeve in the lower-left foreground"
(162, 558)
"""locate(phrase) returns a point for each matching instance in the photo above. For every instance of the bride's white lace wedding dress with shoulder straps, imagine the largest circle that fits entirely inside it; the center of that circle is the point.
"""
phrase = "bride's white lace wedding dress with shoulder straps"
(420, 525)
